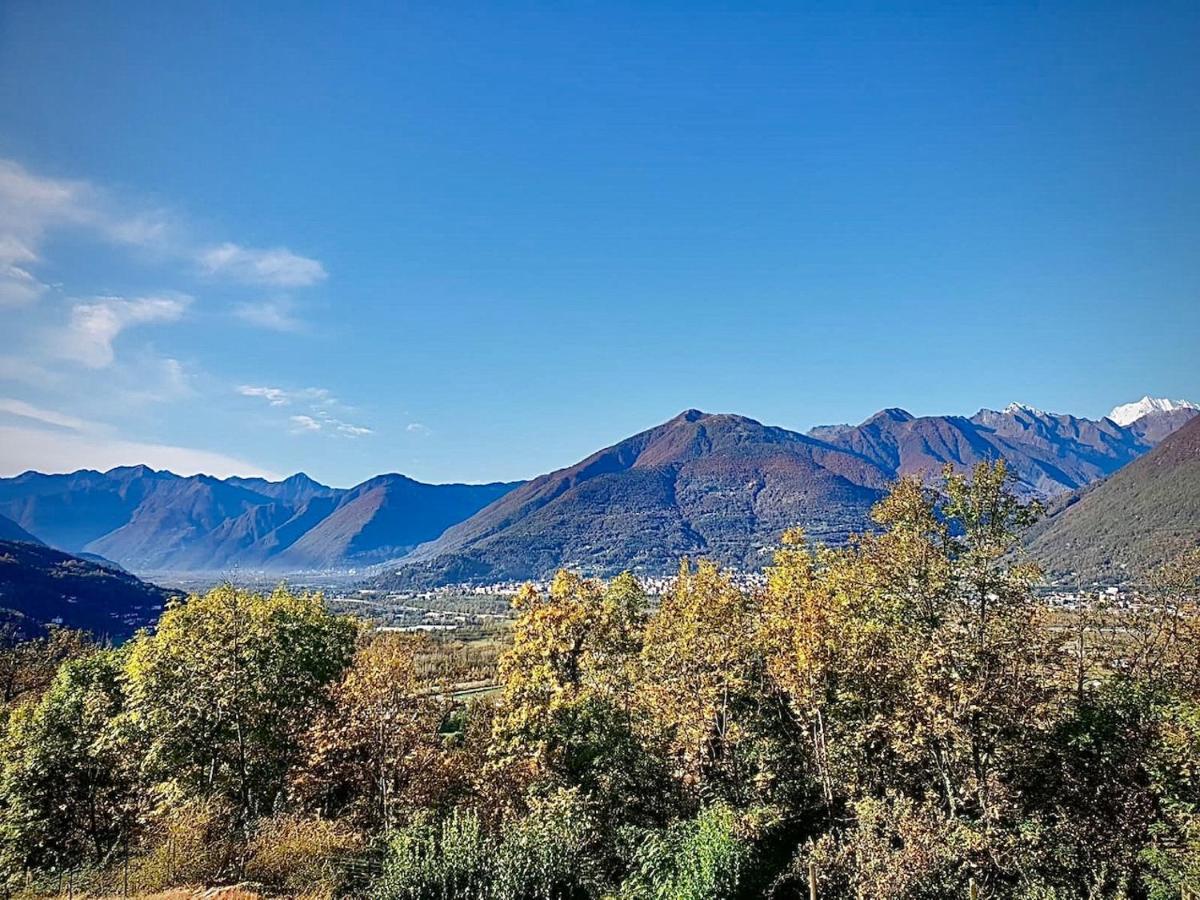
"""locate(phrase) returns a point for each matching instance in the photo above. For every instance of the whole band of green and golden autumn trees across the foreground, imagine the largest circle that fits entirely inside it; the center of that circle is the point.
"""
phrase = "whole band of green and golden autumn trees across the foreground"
(902, 717)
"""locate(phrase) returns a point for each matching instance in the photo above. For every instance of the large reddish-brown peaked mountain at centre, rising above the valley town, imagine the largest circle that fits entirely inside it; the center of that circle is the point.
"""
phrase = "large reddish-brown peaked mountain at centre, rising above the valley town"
(722, 487)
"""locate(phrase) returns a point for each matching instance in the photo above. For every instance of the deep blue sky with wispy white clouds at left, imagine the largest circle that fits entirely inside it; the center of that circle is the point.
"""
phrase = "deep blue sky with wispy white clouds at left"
(478, 242)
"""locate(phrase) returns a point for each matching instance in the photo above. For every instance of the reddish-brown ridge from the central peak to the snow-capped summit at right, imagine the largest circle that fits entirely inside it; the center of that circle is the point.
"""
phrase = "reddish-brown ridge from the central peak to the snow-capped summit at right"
(725, 487)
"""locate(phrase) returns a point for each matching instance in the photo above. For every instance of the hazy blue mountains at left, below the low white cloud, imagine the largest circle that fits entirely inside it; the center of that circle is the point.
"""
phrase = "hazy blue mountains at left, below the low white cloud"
(158, 521)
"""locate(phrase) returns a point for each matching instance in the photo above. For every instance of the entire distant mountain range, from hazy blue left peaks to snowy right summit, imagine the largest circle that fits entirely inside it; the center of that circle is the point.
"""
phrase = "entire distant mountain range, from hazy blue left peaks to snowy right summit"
(717, 485)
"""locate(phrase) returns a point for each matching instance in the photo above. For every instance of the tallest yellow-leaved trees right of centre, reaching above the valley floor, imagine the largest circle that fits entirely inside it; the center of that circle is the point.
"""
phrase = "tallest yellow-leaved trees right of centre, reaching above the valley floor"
(919, 662)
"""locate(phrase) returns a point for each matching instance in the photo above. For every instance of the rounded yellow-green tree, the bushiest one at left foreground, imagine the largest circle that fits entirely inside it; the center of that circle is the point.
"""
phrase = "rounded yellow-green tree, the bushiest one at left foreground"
(225, 688)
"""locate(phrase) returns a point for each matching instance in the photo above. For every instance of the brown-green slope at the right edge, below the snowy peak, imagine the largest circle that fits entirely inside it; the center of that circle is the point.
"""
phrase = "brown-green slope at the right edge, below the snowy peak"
(1123, 529)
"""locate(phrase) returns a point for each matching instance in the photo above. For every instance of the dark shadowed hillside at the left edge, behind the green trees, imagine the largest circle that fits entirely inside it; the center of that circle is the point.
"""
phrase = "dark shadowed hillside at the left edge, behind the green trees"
(40, 586)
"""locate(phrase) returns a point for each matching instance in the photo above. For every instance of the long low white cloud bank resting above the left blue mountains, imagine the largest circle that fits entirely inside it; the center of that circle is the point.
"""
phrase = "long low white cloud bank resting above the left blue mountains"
(28, 448)
